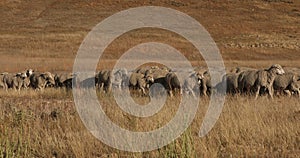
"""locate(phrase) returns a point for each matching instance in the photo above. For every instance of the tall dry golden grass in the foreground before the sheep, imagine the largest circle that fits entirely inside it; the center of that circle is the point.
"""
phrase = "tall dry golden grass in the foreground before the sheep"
(46, 124)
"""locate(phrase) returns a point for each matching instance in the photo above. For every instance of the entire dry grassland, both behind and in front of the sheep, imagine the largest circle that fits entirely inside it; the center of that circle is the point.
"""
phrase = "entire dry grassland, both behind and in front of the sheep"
(45, 36)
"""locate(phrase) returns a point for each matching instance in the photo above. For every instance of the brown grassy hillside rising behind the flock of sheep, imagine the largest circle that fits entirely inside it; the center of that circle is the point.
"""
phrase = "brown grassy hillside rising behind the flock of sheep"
(47, 34)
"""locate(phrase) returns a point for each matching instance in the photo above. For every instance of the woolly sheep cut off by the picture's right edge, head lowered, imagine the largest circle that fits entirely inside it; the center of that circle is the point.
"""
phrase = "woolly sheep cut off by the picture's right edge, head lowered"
(287, 83)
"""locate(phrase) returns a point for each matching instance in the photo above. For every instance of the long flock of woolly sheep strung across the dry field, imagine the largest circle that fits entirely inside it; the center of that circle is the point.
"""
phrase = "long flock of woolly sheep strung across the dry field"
(239, 80)
